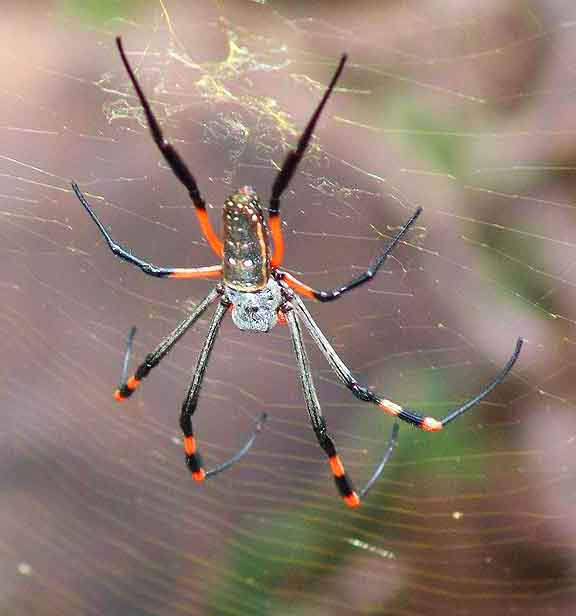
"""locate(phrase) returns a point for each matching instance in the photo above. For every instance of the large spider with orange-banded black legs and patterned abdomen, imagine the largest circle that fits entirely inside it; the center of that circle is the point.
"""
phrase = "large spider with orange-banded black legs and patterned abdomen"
(260, 294)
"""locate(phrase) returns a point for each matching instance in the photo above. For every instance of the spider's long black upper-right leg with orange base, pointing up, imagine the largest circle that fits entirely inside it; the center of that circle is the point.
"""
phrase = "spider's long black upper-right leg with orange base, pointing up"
(289, 167)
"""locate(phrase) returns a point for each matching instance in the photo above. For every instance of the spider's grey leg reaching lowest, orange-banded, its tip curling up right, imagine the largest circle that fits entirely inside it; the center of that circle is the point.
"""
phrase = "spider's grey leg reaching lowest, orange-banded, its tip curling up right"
(343, 483)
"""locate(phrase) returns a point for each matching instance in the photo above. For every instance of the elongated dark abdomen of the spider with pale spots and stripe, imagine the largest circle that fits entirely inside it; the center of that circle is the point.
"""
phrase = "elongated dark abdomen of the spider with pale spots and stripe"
(246, 242)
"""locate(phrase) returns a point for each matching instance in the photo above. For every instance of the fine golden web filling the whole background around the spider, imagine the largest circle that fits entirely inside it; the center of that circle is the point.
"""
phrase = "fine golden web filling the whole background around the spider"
(463, 108)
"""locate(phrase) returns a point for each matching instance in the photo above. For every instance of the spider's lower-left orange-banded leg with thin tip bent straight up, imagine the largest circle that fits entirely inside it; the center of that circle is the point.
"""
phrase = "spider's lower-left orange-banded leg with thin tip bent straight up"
(128, 386)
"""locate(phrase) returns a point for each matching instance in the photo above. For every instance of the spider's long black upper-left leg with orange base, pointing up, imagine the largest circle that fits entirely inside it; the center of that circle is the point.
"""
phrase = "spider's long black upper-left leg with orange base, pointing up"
(175, 162)
